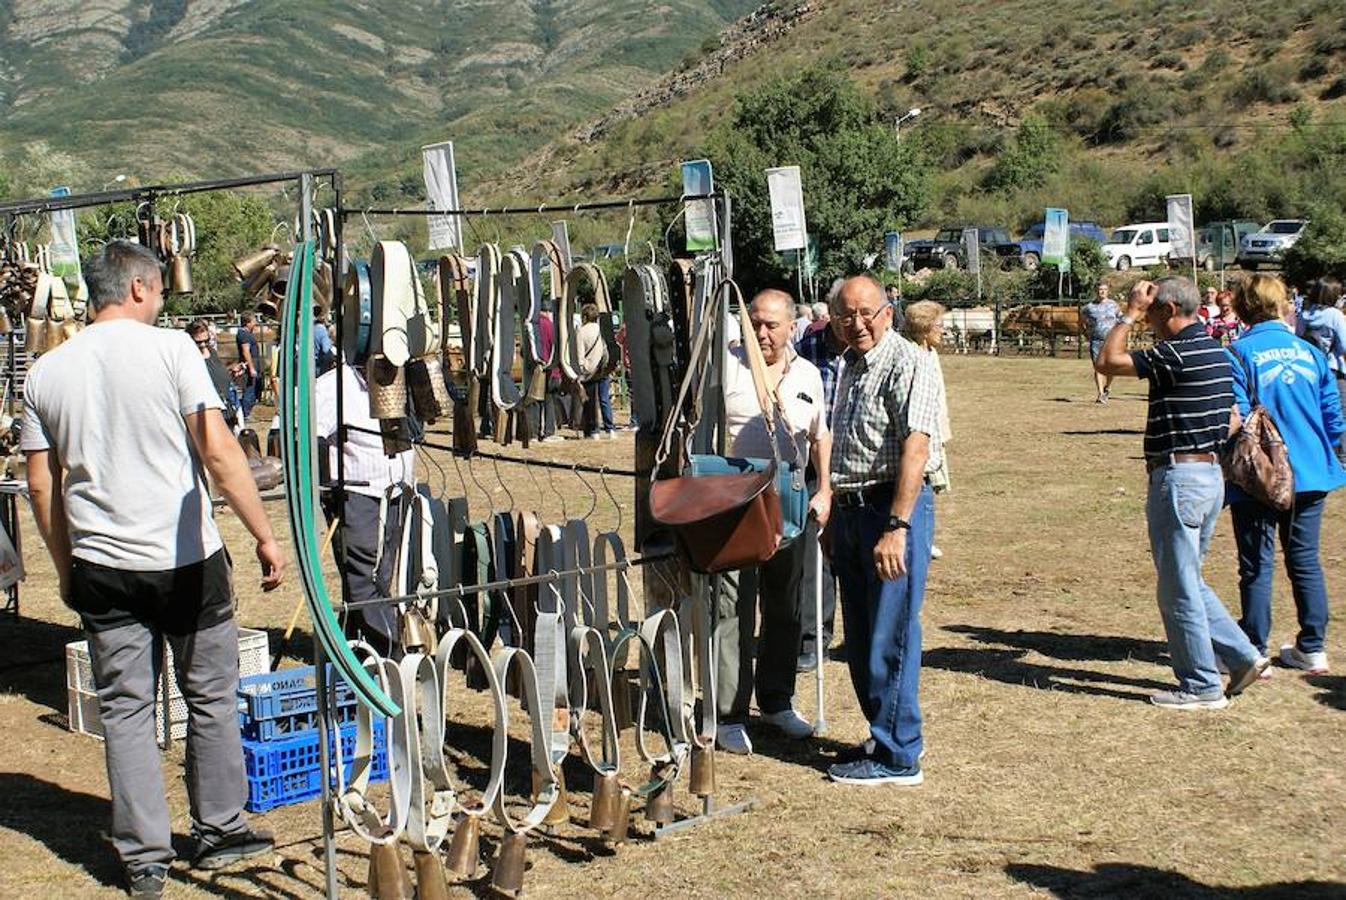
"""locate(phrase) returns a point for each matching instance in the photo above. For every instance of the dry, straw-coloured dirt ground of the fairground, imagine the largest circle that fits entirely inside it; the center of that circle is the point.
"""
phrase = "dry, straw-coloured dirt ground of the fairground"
(1049, 774)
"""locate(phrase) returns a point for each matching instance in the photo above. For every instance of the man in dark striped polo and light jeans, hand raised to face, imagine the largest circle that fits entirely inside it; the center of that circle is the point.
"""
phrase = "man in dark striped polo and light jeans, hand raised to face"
(1191, 402)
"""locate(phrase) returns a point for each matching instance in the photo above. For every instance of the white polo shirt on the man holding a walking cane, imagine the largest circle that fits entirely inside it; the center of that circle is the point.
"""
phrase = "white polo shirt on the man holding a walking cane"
(806, 416)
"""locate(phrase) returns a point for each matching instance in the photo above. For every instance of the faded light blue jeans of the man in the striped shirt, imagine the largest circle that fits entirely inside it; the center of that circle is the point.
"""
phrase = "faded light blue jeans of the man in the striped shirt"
(1182, 509)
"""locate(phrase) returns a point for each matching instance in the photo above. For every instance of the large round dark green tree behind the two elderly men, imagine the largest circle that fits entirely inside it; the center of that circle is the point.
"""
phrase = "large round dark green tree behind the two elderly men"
(859, 182)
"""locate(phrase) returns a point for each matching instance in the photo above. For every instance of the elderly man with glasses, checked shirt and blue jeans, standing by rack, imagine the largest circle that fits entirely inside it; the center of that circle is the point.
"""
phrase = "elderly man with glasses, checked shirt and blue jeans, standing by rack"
(888, 408)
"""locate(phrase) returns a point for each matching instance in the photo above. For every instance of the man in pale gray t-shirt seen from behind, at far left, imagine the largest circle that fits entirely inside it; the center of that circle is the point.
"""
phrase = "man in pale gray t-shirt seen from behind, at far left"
(122, 424)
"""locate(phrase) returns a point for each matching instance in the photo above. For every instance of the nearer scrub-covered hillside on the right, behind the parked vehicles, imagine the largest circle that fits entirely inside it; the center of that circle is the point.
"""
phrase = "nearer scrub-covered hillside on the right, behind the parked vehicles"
(1095, 107)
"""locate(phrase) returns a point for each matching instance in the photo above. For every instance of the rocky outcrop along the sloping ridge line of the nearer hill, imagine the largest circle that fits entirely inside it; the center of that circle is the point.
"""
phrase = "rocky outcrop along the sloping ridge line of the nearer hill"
(764, 26)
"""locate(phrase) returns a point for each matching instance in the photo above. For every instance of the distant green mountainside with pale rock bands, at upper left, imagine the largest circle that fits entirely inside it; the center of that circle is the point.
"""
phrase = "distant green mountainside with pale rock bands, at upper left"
(186, 89)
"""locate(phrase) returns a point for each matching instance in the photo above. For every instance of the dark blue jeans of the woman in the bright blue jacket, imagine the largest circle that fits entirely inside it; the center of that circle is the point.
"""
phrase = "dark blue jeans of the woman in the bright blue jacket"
(1255, 535)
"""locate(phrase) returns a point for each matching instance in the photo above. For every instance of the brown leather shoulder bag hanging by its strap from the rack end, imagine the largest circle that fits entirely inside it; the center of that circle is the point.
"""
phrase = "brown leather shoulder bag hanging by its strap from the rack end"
(722, 523)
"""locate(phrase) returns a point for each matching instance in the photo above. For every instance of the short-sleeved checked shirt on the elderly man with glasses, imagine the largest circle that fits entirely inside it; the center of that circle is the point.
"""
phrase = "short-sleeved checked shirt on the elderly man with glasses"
(884, 396)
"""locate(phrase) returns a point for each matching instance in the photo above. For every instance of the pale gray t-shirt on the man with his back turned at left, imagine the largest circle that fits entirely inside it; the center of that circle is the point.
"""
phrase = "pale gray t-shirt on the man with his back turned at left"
(111, 403)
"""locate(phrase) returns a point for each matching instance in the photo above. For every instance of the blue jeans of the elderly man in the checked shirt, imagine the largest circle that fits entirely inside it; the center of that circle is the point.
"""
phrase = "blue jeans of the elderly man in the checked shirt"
(884, 622)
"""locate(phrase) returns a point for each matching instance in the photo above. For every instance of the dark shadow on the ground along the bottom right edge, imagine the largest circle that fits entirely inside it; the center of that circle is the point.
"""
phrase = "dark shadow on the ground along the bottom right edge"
(1139, 882)
